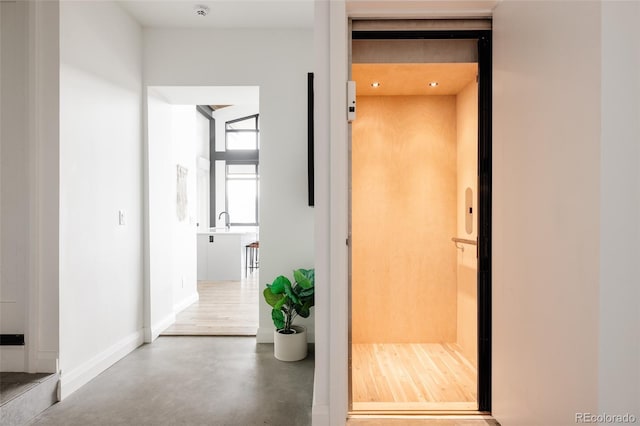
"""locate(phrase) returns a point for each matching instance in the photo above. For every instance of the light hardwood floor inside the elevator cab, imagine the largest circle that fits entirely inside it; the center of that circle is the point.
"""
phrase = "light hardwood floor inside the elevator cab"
(412, 377)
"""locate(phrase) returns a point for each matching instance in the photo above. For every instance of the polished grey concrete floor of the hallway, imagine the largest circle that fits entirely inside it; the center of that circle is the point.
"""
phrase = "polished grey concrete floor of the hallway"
(218, 381)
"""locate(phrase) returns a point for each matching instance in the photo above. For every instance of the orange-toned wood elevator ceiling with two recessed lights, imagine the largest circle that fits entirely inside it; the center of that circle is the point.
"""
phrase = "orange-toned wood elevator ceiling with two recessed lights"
(412, 79)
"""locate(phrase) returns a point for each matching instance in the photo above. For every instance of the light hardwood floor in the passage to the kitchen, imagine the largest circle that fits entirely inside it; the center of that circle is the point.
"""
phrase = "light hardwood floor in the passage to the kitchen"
(225, 308)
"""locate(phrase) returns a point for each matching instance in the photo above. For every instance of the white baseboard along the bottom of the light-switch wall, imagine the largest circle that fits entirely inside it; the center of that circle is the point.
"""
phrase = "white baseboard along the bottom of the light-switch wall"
(70, 381)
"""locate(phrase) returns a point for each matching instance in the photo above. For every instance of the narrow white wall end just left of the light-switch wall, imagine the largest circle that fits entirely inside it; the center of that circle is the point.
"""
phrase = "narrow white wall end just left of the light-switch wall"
(43, 312)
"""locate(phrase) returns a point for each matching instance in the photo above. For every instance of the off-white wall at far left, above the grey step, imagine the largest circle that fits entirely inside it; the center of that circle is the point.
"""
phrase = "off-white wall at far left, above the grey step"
(29, 191)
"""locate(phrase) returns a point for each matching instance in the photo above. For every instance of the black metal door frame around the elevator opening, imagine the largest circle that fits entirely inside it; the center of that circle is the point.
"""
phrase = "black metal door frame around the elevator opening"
(484, 191)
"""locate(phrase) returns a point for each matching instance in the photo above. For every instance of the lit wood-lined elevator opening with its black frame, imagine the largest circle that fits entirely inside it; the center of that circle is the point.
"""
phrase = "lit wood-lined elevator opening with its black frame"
(420, 222)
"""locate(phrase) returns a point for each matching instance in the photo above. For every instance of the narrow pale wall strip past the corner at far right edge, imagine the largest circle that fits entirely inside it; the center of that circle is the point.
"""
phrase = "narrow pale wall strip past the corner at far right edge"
(619, 339)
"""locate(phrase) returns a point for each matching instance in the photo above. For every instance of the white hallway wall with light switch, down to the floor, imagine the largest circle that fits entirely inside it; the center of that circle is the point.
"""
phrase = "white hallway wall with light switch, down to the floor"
(101, 262)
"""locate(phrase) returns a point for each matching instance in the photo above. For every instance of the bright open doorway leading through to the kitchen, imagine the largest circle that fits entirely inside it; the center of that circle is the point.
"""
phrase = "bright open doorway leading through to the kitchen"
(202, 219)
